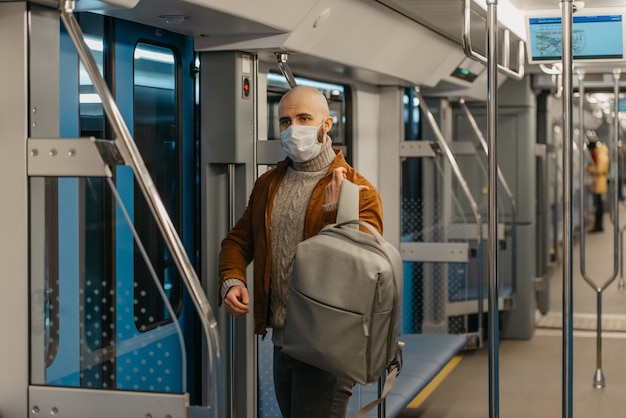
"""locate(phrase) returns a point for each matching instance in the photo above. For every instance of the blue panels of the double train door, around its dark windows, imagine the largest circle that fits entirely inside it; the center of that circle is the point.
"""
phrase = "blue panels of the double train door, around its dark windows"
(150, 359)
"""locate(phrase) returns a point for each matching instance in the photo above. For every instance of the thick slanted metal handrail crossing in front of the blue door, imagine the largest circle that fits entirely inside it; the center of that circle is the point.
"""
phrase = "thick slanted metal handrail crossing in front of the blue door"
(132, 157)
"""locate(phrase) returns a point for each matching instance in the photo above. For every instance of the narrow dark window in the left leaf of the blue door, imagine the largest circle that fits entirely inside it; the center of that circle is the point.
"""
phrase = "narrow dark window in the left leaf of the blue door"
(97, 214)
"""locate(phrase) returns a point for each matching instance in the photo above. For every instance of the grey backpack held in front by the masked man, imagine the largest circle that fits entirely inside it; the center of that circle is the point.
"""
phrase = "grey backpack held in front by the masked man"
(345, 297)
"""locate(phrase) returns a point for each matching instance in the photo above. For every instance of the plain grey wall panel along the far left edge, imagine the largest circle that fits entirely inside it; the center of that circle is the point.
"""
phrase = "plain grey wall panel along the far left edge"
(14, 210)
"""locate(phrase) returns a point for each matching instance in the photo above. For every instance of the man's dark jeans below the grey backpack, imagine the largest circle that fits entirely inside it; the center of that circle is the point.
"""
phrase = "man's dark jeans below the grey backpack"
(304, 391)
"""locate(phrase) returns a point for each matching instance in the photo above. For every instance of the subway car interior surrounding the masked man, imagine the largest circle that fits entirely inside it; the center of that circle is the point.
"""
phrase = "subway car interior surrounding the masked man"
(133, 132)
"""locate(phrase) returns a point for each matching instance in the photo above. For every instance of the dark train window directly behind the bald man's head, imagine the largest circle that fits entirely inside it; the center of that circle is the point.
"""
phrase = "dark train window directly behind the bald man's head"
(338, 97)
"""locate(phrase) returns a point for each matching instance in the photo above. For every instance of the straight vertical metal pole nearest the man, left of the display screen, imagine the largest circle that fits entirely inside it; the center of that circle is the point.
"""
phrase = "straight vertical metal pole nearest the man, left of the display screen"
(492, 214)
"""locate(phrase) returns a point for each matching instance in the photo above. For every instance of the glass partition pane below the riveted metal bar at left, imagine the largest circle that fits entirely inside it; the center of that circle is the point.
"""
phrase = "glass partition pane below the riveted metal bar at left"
(84, 318)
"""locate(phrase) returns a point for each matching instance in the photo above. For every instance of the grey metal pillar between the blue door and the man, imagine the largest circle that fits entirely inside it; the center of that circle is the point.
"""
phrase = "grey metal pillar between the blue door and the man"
(228, 170)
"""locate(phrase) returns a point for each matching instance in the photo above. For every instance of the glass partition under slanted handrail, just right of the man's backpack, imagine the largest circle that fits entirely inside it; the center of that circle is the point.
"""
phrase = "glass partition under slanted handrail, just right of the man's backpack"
(442, 234)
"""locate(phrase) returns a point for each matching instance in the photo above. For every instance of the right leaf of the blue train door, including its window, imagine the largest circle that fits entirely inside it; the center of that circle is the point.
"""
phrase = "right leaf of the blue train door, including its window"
(154, 88)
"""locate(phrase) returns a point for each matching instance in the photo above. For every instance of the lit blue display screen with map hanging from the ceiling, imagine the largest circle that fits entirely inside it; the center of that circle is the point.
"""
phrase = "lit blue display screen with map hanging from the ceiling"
(594, 38)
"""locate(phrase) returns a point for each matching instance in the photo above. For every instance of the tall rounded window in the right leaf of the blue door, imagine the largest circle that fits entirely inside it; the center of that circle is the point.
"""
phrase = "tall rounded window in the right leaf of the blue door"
(157, 133)
